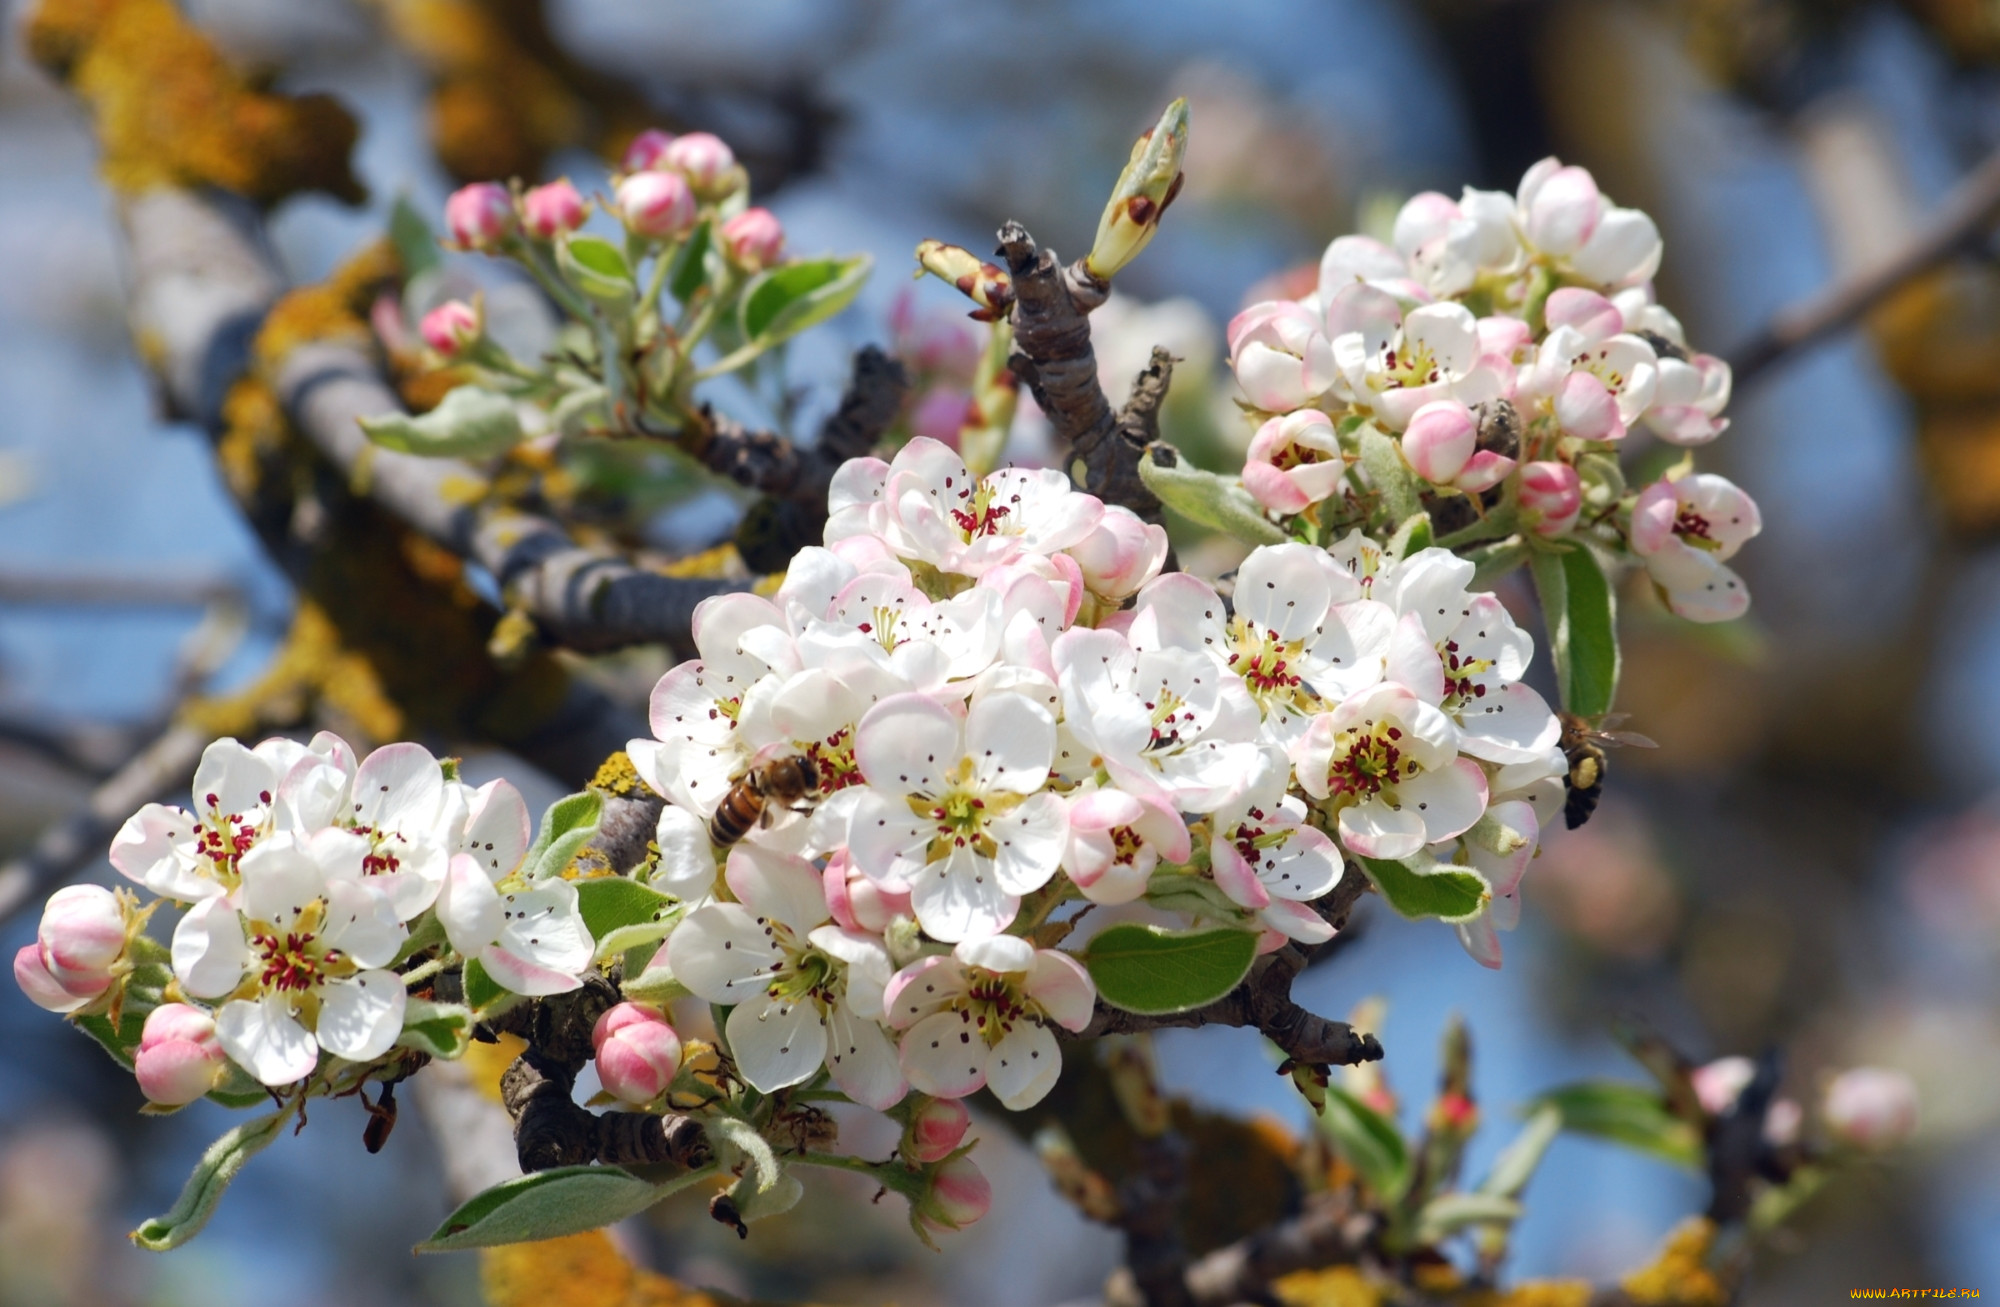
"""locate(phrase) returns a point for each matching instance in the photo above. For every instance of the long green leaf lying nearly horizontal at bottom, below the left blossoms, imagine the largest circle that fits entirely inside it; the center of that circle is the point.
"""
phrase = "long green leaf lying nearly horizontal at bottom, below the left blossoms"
(553, 1204)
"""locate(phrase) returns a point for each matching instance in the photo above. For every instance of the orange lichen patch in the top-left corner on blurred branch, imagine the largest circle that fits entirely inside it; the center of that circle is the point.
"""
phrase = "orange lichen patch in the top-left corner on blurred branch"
(173, 113)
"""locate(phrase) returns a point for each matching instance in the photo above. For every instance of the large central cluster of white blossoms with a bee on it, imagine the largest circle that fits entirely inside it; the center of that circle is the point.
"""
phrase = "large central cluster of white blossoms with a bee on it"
(1007, 708)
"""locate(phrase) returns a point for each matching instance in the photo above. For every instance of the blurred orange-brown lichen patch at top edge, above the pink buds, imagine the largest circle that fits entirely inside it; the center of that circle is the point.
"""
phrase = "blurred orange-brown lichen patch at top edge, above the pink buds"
(503, 93)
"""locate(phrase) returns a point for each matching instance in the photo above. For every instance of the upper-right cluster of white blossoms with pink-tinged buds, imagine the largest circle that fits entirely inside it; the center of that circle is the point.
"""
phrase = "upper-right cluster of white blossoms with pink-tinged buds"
(1511, 347)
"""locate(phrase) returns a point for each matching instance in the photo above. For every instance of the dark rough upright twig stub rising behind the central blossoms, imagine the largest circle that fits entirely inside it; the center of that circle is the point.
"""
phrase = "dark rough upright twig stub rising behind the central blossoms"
(1053, 355)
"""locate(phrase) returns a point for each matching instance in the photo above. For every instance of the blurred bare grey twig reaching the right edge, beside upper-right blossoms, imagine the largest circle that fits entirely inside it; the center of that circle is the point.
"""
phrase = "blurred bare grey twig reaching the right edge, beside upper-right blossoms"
(1973, 207)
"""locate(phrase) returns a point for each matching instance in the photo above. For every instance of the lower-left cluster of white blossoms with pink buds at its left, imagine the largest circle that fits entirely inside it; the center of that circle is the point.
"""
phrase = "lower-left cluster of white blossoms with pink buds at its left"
(305, 878)
